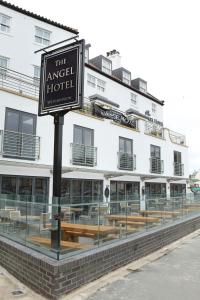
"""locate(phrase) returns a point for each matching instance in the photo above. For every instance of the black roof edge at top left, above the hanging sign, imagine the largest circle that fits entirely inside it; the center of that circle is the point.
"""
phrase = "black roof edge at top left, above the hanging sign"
(38, 17)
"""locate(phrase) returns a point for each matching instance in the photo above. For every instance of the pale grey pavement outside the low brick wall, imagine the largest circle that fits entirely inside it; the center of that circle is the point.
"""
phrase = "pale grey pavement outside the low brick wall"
(172, 273)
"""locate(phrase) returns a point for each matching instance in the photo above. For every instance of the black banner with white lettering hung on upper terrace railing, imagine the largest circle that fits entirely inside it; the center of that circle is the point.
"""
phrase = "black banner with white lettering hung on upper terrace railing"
(114, 115)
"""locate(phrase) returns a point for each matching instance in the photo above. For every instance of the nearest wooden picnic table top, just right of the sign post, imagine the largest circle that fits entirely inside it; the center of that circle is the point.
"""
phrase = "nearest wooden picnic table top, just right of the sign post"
(72, 231)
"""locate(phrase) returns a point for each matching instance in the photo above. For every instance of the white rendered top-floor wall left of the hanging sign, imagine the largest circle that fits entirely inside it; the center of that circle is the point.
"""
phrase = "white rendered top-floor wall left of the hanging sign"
(19, 44)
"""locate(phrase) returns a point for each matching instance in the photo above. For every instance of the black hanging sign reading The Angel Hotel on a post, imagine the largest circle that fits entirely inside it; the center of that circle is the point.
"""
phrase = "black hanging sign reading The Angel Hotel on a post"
(62, 82)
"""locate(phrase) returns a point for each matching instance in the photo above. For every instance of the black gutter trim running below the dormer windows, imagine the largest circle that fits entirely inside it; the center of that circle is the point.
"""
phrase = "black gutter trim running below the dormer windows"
(149, 96)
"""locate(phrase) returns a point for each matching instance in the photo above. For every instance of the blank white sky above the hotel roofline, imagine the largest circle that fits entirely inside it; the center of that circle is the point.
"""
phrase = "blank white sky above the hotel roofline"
(158, 40)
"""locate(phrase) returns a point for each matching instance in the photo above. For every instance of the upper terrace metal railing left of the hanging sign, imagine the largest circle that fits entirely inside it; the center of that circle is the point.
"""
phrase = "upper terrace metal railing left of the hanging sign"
(20, 83)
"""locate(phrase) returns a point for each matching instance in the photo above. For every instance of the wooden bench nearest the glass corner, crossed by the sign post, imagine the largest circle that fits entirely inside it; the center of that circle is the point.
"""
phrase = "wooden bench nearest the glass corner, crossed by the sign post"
(64, 244)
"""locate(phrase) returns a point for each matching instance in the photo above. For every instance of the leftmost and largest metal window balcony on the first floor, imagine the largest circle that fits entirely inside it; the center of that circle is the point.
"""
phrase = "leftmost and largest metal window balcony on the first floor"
(19, 145)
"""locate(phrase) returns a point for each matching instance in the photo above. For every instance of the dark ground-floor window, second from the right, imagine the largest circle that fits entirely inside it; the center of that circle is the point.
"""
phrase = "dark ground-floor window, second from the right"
(155, 190)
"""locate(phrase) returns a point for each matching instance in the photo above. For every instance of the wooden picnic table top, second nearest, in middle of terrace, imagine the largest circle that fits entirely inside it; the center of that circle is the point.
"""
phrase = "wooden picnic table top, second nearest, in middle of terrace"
(134, 218)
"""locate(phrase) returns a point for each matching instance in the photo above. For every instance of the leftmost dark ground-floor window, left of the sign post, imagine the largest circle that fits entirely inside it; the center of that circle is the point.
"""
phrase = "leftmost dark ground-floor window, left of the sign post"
(34, 188)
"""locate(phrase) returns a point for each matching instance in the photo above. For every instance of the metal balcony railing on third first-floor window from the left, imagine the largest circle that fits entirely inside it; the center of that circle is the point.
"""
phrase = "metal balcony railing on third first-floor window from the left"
(126, 161)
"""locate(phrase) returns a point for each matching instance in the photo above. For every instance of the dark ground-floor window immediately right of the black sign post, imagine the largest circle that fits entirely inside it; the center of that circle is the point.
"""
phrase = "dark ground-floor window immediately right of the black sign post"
(81, 190)
